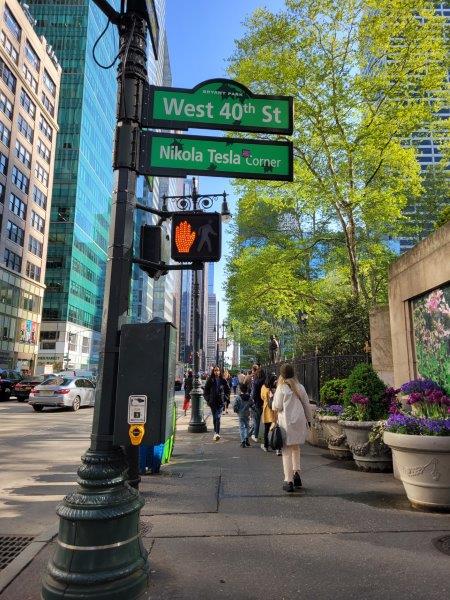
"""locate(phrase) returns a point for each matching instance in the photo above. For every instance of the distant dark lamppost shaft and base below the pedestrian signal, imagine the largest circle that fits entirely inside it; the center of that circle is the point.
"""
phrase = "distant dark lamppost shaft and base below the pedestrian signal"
(197, 423)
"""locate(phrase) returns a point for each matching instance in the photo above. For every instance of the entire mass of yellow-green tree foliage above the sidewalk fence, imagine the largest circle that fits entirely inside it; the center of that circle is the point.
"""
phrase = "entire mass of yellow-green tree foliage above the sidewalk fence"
(361, 73)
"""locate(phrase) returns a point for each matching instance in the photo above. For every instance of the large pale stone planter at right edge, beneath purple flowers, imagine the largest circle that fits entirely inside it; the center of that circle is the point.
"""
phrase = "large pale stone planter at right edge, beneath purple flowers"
(423, 465)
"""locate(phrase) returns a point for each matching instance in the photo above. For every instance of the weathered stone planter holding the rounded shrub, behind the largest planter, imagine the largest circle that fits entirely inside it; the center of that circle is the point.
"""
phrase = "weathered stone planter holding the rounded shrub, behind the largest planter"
(369, 456)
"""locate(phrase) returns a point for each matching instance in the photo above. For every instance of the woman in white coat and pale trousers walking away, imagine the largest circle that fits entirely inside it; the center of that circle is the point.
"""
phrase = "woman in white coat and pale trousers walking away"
(291, 404)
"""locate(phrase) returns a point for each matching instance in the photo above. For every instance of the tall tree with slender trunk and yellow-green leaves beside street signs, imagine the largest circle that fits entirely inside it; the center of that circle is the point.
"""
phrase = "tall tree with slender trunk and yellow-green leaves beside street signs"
(361, 73)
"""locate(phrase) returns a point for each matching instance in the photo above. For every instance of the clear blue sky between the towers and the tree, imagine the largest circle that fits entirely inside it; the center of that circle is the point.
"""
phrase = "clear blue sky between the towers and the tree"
(201, 36)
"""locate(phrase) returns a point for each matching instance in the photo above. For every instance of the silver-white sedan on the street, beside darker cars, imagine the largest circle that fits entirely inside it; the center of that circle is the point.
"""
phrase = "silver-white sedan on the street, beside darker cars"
(69, 392)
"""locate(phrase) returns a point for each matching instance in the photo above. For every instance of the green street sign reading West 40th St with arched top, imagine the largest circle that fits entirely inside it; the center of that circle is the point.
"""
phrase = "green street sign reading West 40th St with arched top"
(216, 104)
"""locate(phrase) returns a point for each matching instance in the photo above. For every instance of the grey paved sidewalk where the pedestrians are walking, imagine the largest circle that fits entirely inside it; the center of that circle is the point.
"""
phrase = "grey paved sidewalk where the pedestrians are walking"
(218, 525)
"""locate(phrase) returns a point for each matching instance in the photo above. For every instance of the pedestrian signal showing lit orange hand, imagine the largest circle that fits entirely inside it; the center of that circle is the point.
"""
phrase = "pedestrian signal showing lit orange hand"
(196, 237)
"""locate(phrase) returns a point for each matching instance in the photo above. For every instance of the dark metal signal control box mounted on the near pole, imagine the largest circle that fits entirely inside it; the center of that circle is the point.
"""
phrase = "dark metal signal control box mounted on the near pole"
(145, 382)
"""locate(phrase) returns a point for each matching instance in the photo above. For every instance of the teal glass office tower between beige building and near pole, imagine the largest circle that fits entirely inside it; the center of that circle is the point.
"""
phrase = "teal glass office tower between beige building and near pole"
(82, 188)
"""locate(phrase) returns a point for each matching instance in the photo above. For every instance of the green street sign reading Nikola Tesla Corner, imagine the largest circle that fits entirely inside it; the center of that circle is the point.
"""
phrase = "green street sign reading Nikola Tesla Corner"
(181, 155)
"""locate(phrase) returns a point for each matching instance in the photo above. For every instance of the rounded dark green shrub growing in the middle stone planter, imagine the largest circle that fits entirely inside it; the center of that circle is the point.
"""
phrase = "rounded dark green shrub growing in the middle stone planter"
(364, 380)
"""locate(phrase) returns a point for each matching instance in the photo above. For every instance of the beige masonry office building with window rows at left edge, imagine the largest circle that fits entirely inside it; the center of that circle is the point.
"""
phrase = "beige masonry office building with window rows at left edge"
(29, 90)
